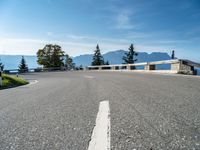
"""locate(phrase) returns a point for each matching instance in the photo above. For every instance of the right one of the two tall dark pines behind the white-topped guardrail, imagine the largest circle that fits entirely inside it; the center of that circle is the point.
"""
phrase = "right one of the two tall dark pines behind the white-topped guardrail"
(129, 57)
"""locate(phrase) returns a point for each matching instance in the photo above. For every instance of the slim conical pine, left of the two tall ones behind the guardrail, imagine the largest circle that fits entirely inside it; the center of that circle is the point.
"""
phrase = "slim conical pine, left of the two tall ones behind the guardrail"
(97, 57)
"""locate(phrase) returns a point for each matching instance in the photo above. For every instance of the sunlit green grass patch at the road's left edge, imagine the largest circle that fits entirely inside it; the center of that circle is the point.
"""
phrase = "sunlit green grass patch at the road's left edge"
(12, 81)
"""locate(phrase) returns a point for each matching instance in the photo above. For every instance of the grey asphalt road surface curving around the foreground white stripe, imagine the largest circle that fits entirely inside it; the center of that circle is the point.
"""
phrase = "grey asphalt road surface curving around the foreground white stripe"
(148, 111)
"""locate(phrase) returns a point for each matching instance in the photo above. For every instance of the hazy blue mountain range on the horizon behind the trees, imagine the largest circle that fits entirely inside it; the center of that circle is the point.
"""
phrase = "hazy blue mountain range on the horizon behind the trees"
(114, 57)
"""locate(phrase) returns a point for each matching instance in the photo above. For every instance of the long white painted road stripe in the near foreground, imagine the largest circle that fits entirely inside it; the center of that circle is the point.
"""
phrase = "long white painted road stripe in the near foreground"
(100, 139)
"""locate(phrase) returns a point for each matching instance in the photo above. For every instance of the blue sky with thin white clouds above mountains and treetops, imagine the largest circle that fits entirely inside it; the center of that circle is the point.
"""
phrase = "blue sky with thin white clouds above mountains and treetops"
(78, 25)
